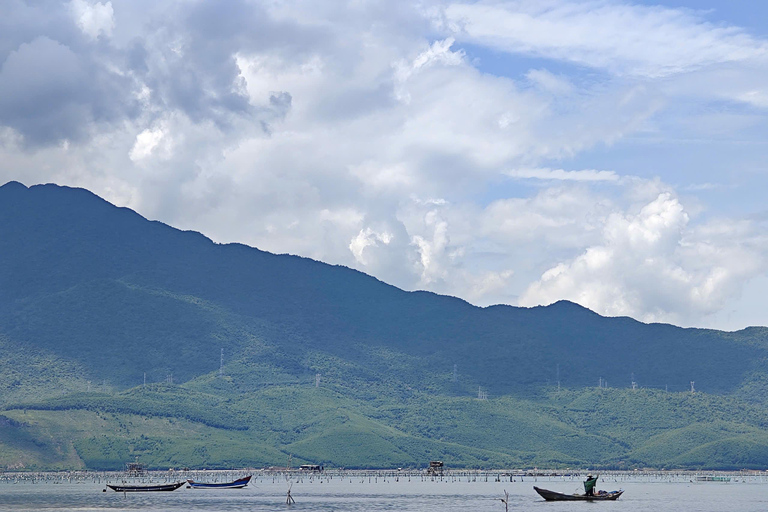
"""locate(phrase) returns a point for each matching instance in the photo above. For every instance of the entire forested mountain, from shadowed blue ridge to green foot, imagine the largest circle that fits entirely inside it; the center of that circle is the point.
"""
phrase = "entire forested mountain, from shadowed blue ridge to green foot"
(96, 301)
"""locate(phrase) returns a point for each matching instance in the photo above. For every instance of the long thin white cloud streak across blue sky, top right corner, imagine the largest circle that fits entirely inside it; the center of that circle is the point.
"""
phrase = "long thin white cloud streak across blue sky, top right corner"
(619, 37)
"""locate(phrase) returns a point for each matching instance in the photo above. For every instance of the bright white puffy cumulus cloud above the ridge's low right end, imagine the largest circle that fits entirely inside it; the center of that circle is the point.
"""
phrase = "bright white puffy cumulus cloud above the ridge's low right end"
(650, 265)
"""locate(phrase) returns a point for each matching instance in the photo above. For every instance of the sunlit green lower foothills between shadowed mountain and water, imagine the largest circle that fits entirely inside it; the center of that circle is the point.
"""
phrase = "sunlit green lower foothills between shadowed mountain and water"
(171, 426)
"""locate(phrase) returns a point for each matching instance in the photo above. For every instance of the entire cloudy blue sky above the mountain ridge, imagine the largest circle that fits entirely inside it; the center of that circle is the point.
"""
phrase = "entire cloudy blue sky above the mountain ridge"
(612, 153)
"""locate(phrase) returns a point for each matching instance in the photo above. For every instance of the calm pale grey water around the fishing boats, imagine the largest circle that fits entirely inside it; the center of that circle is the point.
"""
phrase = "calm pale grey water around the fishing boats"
(360, 494)
